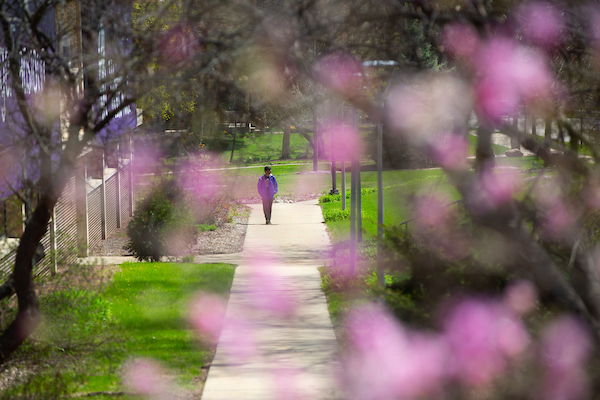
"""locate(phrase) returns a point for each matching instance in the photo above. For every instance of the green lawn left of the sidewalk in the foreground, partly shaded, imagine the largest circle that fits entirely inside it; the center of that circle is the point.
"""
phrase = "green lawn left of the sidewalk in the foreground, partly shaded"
(89, 334)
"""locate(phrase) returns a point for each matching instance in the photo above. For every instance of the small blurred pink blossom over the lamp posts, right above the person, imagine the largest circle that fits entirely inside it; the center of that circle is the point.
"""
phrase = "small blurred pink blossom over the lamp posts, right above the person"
(342, 141)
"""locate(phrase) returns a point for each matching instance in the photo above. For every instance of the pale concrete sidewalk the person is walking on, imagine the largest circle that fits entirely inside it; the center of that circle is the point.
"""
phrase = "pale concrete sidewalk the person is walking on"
(296, 356)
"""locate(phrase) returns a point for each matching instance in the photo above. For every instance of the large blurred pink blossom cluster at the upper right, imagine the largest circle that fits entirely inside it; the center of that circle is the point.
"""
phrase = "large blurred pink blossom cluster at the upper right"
(507, 72)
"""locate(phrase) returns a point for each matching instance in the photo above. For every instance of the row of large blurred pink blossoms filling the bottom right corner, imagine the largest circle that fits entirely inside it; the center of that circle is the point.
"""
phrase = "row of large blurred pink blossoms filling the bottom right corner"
(481, 339)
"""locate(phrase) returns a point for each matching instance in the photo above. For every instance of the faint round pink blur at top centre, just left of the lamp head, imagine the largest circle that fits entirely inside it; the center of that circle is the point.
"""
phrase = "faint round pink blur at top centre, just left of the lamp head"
(340, 72)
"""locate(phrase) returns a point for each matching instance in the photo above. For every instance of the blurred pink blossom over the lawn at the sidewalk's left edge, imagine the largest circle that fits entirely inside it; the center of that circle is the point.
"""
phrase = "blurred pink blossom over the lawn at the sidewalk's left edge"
(206, 314)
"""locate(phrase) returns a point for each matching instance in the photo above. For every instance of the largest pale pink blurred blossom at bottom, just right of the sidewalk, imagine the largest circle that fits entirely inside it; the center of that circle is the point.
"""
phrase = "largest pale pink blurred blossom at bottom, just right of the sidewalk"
(386, 361)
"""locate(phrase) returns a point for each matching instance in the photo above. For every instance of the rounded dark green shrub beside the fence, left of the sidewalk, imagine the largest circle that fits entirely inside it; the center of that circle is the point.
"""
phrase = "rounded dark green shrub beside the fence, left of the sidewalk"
(161, 225)
